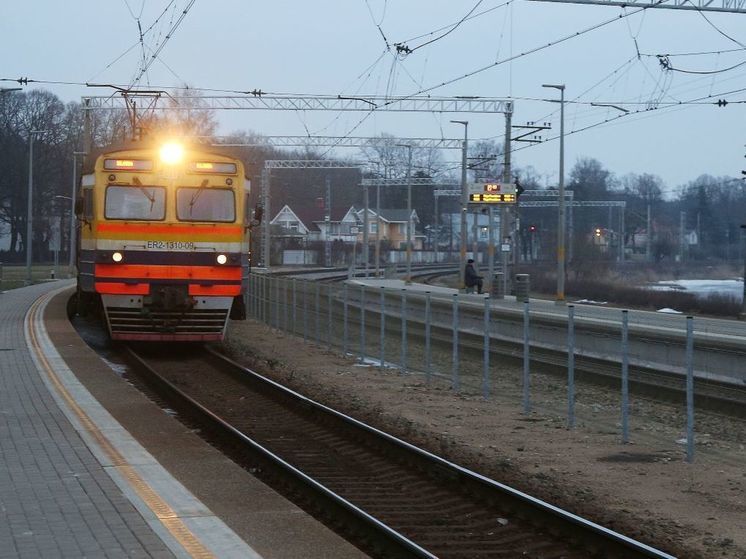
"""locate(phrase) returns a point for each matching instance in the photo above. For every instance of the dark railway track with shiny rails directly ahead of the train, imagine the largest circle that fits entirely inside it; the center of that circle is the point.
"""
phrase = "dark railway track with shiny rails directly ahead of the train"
(396, 499)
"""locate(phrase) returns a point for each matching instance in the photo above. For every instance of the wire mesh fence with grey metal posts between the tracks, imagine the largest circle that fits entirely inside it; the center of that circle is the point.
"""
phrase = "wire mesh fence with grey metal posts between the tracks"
(471, 346)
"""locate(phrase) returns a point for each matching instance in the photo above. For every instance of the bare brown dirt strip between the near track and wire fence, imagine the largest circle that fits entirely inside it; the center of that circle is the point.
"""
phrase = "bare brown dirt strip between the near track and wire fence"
(644, 489)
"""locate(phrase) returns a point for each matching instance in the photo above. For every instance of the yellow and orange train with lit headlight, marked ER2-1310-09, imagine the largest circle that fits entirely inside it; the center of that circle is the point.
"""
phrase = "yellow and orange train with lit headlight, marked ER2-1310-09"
(164, 242)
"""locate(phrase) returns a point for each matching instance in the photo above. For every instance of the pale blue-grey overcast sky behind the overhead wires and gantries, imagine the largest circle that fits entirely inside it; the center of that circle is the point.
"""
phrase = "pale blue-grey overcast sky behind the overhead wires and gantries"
(331, 47)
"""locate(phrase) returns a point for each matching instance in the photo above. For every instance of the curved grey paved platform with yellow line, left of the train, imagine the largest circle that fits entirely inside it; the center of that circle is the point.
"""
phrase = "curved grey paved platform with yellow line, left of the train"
(89, 467)
